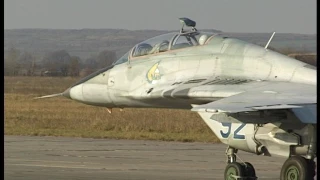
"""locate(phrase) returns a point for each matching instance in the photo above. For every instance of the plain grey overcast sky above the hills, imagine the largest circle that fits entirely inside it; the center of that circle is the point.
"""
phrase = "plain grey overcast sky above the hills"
(282, 16)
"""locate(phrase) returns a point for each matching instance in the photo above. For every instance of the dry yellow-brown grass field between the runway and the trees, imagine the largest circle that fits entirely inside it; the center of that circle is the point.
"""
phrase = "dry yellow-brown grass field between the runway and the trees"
(64, 117)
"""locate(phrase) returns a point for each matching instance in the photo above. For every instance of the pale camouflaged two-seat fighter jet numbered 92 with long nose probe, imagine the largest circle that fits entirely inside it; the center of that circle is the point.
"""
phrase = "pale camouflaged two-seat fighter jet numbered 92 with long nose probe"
(252, 98)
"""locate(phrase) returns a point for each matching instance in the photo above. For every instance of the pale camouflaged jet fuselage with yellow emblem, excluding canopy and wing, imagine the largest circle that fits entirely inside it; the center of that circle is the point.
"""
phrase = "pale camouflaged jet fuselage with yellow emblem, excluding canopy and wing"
(151, 80)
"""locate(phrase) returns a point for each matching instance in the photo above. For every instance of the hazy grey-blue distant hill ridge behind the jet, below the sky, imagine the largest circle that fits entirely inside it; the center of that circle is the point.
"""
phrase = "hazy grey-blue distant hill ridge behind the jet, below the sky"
(87, 42)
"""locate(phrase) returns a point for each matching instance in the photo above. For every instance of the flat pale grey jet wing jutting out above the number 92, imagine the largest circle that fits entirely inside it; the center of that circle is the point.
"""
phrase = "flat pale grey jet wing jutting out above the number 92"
(300, 98)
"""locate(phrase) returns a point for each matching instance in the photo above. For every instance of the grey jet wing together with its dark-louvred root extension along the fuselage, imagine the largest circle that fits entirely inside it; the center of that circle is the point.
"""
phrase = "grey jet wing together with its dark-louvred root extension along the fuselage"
(251, 96)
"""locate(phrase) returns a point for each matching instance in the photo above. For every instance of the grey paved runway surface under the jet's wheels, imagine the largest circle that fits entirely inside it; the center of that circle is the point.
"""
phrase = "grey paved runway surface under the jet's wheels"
(53, 158)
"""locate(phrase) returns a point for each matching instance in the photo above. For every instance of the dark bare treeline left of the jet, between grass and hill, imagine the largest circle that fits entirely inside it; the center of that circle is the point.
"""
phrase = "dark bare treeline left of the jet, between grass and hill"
(56, 63)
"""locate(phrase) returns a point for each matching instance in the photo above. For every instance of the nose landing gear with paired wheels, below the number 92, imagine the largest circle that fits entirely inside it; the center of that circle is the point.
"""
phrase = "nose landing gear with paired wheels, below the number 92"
(236, 170)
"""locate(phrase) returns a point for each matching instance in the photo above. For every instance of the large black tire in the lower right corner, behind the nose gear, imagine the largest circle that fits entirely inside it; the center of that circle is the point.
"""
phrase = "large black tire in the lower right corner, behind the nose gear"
(296, 168)
